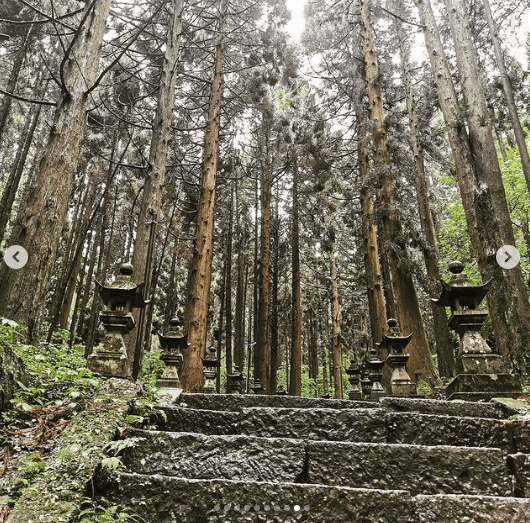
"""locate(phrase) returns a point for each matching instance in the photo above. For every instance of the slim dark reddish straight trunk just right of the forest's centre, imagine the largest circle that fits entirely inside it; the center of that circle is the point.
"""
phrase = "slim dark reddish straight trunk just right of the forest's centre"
(295, 384)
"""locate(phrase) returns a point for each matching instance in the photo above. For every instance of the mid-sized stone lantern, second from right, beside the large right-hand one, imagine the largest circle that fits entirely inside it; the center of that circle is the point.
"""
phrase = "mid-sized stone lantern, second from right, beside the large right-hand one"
(395, 343)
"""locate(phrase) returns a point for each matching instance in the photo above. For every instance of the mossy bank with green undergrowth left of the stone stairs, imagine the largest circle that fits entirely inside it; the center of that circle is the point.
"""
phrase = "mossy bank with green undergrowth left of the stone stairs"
(62, 424)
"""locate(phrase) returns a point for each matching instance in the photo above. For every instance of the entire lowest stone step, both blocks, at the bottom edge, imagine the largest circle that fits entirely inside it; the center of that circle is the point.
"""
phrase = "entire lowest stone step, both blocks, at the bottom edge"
(164, 499)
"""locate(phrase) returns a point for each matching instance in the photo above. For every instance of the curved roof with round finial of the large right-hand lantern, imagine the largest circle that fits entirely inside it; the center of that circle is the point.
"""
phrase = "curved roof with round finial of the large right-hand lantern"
(459, 294)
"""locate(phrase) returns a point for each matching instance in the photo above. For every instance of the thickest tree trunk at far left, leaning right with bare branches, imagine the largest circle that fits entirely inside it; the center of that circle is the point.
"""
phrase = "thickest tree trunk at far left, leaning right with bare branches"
(40, 221)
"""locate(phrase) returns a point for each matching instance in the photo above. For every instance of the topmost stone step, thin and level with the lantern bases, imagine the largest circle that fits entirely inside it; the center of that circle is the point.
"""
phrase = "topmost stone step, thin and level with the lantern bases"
(426, 406)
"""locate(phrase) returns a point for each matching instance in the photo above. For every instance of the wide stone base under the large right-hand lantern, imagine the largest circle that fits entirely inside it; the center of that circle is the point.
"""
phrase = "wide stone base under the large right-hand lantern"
(474, 387)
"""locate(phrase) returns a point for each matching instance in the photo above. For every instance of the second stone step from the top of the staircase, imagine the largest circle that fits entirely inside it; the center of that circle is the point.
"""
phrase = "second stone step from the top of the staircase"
(348, 425)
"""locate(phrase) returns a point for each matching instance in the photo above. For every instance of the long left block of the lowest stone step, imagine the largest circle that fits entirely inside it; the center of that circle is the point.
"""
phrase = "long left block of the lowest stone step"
(164, 499)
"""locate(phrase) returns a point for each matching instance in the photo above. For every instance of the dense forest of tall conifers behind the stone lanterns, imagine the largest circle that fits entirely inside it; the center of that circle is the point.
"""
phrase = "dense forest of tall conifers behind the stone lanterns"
(283, 200)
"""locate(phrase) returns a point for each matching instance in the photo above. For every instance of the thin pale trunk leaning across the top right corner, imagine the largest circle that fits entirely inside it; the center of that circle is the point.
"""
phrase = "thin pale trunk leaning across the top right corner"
(508, 91)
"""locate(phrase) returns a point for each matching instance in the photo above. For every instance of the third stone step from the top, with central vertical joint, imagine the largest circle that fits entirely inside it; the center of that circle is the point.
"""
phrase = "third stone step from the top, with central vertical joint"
(422, 469)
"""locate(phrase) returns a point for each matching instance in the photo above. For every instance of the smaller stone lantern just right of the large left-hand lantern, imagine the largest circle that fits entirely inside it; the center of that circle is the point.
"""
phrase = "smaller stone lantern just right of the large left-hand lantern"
(174, 344)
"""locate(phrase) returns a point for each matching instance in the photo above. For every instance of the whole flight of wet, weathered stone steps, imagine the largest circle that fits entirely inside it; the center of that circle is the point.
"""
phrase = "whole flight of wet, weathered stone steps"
(282, 459)
